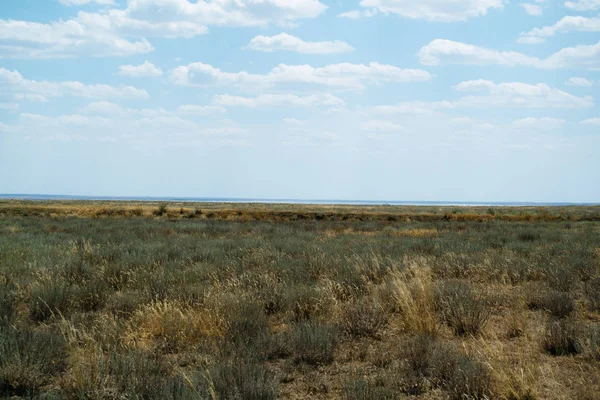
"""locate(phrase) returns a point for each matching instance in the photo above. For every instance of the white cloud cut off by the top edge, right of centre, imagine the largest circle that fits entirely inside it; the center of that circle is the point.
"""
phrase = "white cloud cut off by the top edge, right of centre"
(434, 10)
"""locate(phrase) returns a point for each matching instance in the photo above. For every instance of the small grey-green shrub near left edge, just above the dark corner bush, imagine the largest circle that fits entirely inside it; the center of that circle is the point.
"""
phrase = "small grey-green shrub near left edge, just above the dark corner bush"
(52, 299)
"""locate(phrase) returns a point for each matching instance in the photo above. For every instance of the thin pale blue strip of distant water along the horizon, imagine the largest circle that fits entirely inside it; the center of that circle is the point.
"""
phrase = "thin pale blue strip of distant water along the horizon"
(287, 201)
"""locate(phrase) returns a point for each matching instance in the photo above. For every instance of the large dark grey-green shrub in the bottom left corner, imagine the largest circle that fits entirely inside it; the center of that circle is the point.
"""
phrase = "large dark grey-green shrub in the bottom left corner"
(29, 359)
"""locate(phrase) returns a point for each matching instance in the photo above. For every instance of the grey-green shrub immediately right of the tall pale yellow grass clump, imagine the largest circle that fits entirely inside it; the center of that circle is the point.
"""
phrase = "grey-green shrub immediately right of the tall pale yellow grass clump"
(463, 310)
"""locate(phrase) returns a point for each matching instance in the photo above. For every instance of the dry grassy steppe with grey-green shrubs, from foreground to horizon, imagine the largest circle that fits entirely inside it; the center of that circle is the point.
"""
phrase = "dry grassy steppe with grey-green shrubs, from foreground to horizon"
(103, 300)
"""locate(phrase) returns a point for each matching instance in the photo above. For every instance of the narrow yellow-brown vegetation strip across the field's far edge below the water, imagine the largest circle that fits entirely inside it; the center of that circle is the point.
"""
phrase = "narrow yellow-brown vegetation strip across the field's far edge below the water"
(254, 212)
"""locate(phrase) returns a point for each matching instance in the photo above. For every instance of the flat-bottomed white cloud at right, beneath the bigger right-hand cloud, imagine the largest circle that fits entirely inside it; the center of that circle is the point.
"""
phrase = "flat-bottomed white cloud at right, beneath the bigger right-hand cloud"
(517, 94)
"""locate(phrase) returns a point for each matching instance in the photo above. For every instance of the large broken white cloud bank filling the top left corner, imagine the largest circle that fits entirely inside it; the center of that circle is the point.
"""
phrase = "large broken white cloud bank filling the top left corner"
(120, 32)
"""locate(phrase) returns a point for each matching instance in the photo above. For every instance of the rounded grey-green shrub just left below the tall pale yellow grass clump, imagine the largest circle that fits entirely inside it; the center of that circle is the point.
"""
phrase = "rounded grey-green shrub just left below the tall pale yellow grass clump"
(364, 318)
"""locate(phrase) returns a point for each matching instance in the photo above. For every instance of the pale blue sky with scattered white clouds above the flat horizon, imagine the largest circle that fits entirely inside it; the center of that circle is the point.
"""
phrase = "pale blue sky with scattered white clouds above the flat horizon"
(430, 100)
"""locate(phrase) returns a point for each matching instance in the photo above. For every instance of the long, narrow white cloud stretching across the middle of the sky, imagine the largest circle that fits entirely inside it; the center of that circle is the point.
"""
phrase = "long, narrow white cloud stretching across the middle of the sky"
(345, 76)
